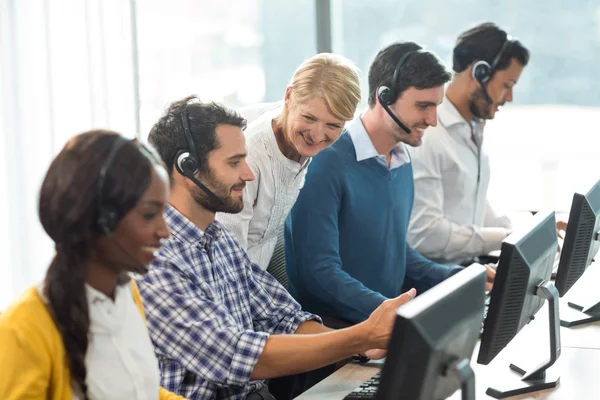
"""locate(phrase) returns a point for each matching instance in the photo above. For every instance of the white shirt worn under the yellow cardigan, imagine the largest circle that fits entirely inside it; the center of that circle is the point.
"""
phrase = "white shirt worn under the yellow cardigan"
(120, 360)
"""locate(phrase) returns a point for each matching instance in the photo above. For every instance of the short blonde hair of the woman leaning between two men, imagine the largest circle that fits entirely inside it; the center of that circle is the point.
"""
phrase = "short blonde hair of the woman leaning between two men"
(331, 77)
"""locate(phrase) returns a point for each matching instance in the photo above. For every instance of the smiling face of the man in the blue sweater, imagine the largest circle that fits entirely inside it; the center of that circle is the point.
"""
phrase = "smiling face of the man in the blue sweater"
(417, 109)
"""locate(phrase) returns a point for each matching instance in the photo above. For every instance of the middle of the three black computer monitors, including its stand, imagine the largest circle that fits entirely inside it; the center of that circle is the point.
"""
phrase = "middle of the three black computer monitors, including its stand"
(521, 285)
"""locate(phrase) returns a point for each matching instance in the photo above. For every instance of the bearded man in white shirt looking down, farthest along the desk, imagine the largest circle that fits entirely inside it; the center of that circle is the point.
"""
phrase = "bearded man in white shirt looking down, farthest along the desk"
(452, 221)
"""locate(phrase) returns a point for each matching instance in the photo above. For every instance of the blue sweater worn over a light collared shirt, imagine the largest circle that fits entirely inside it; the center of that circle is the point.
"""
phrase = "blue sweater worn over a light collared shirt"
(345, 238)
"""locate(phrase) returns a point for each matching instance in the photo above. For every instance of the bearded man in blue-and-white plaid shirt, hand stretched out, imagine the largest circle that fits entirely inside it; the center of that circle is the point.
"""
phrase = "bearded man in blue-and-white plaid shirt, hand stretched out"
(219, 323)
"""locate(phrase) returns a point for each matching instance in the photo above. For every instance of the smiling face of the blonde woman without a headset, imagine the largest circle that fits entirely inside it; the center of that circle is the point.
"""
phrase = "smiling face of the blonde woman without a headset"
(310, 127)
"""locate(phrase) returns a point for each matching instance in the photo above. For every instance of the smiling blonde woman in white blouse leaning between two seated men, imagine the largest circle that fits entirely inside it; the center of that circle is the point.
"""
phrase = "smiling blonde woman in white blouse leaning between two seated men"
(282, 138)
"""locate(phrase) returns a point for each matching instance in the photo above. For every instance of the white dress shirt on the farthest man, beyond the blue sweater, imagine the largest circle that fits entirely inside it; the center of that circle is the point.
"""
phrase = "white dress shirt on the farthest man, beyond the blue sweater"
(452, 219)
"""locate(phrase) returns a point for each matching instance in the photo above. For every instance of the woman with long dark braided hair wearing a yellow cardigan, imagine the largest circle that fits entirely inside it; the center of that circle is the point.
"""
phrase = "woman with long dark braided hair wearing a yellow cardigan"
(81, 333)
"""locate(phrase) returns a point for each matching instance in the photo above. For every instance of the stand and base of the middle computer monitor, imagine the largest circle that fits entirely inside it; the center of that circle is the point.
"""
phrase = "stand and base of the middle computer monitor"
(537, 379)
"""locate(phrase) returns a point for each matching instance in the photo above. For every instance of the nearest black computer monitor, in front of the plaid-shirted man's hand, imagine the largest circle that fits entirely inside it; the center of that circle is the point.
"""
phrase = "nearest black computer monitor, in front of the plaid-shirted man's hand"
(433, 341)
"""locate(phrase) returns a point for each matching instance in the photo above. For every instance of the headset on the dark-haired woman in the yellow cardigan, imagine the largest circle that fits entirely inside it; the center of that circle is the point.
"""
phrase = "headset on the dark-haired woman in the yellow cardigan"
(108, 213)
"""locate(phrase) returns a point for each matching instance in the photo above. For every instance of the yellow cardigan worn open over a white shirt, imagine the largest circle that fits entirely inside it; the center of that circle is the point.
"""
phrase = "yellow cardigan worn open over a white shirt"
(33, 363)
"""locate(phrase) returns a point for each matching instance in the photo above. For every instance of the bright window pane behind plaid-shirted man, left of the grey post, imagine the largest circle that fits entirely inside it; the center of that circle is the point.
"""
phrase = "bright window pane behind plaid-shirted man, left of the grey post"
(238, 52)
